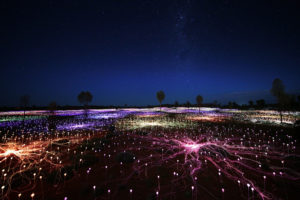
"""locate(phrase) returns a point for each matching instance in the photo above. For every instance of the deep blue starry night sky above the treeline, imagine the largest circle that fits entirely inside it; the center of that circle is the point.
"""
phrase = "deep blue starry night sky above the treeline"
(123, 52)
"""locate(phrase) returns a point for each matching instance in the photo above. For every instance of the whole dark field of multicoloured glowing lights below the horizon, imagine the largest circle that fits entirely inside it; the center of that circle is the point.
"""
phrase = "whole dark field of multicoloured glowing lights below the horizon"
(180, 153)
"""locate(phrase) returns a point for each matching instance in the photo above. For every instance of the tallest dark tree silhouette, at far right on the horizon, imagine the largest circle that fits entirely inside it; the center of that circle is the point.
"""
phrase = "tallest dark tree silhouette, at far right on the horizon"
(278, 91)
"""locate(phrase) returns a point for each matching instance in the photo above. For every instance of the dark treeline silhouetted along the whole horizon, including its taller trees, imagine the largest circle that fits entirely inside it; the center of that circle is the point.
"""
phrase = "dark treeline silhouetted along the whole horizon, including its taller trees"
(285, 102)
